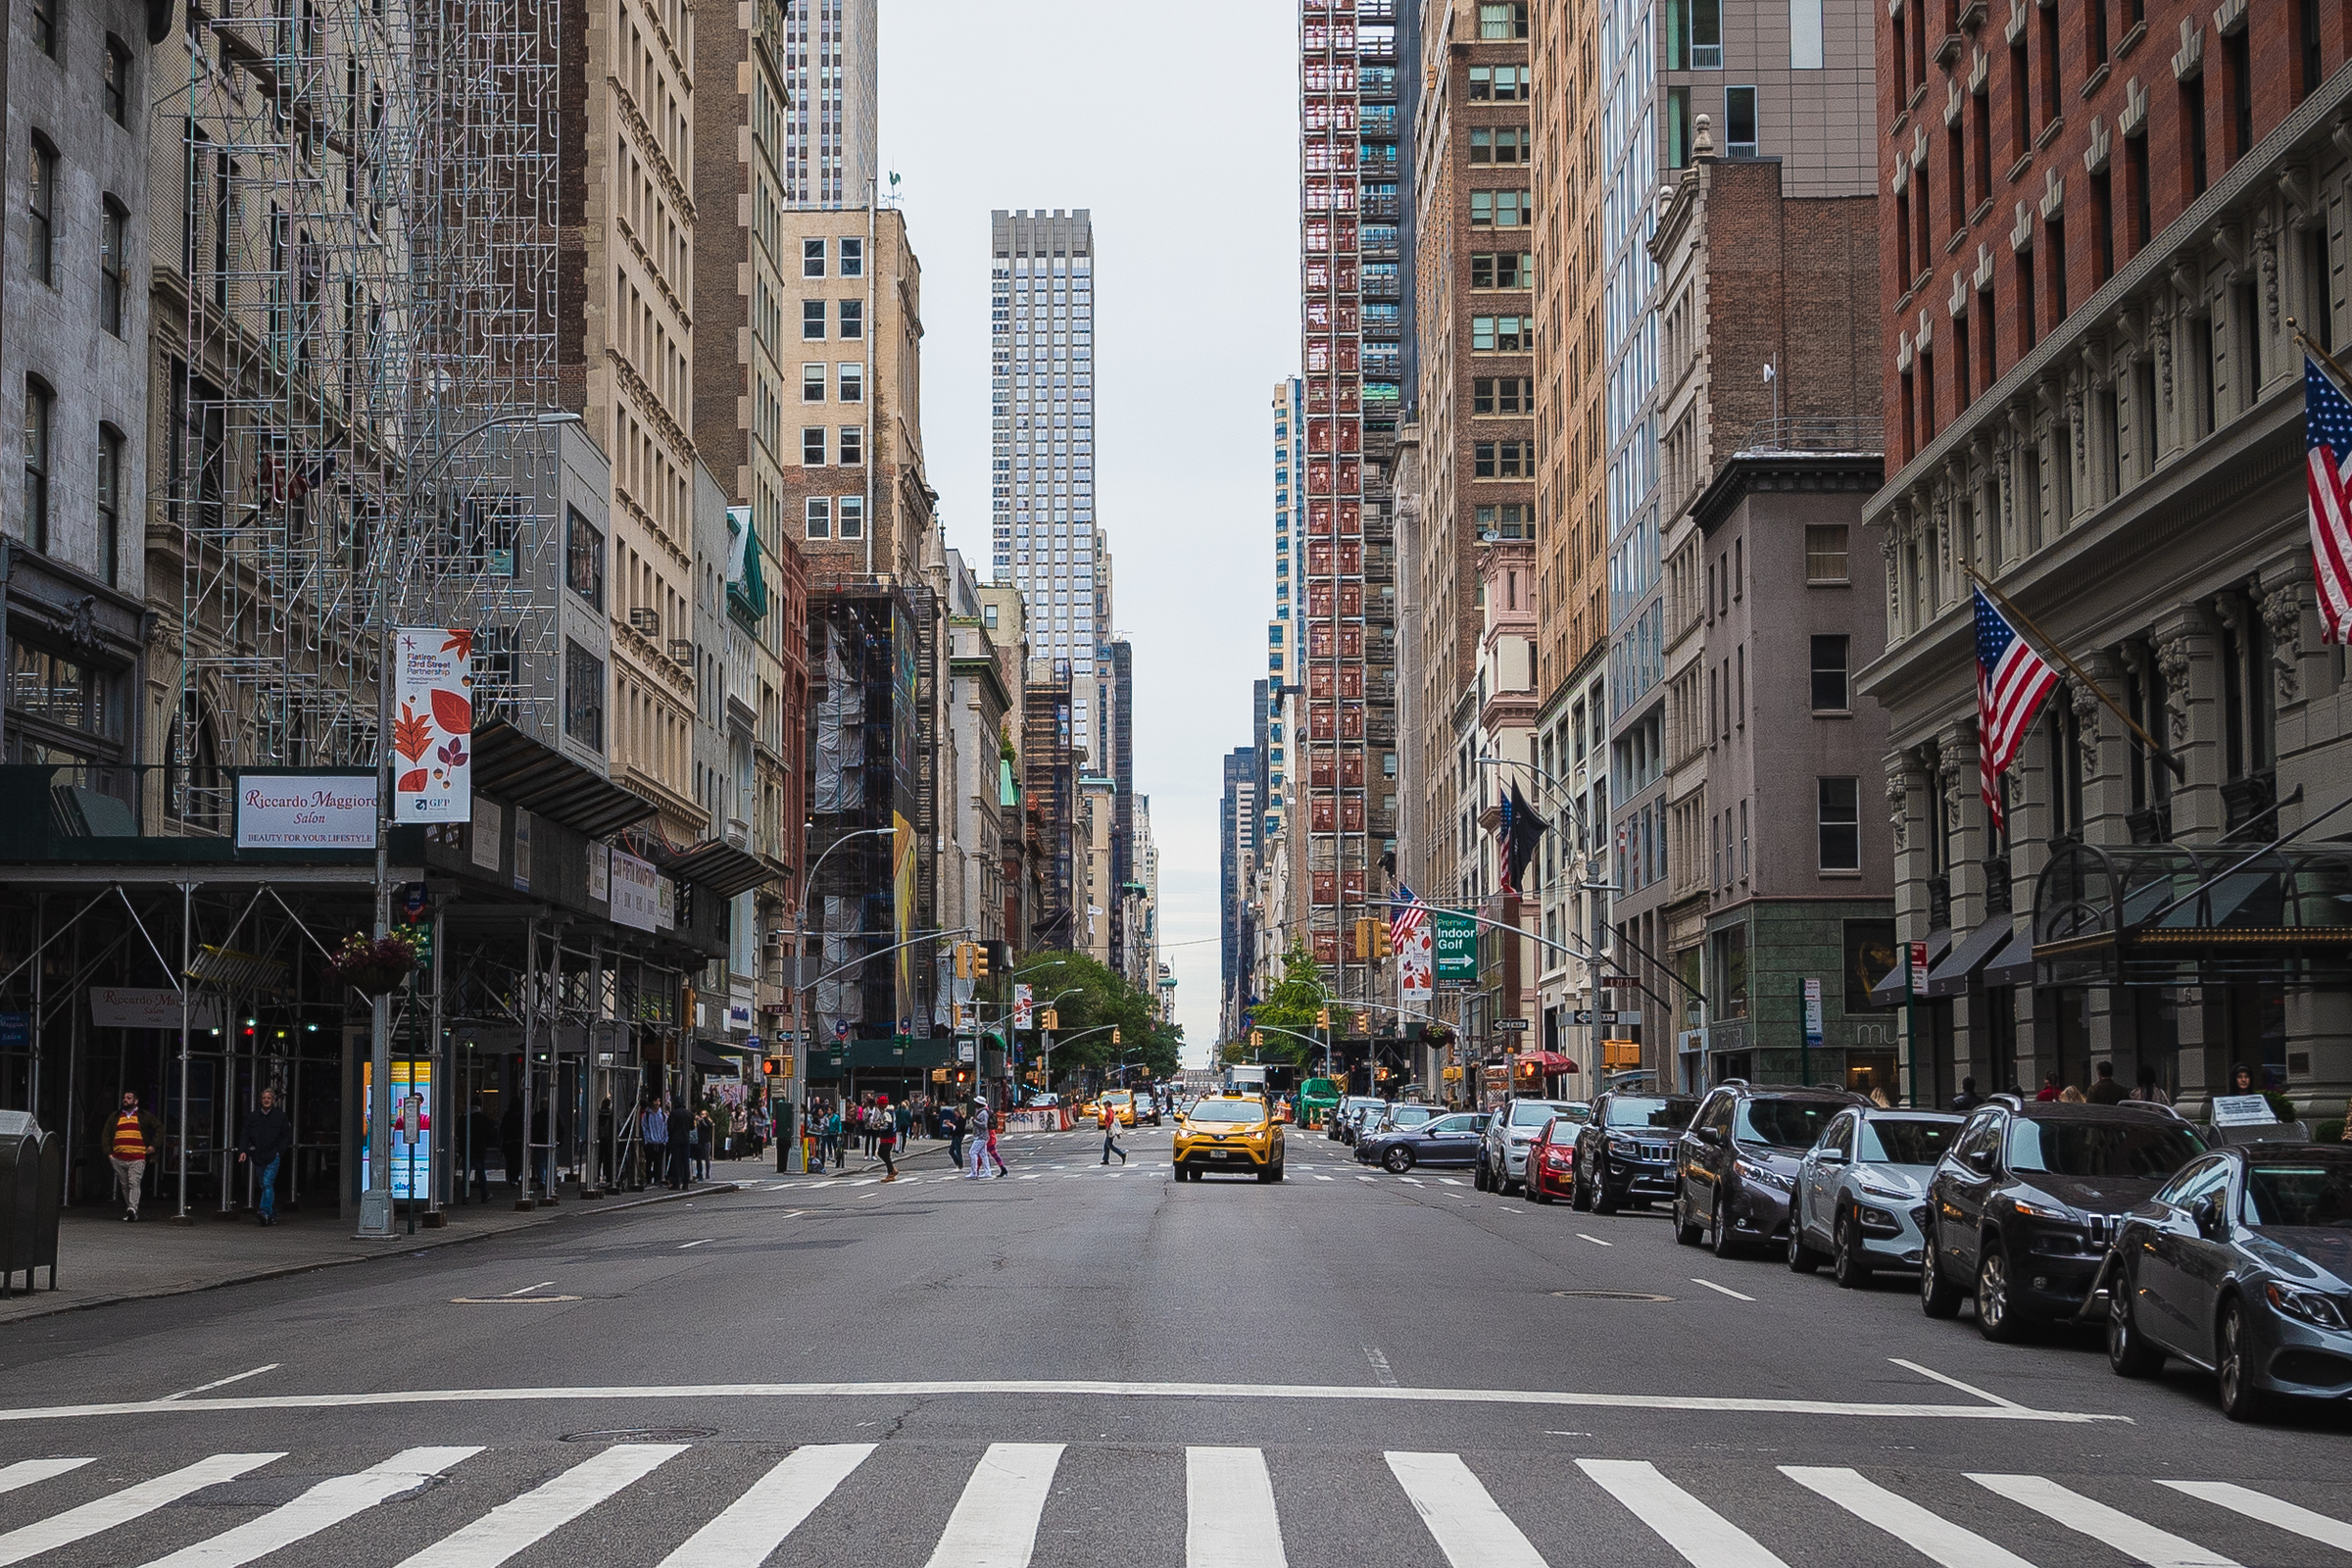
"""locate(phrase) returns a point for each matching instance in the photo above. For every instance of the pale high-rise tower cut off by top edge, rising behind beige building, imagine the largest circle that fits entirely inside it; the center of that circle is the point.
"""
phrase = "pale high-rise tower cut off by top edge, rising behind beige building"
(831, 88)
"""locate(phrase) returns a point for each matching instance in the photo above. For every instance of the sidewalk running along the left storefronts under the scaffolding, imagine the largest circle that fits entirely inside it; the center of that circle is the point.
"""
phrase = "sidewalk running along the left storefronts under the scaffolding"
(102, 1261)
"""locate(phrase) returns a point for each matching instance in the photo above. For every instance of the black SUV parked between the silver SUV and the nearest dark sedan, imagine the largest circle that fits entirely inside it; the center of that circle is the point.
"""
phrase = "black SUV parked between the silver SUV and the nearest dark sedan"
(2031, 1198)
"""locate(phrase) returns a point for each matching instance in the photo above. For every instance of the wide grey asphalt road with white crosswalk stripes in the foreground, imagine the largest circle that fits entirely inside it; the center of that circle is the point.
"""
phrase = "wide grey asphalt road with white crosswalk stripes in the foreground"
(1081, 1367)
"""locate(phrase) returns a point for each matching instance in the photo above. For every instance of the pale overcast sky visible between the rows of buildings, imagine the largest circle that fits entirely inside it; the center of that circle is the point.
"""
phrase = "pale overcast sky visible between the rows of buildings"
(1177, 128)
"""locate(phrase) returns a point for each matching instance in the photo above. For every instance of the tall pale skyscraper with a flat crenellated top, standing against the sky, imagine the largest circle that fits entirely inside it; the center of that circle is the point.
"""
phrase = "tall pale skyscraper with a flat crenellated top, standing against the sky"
(1043, 453)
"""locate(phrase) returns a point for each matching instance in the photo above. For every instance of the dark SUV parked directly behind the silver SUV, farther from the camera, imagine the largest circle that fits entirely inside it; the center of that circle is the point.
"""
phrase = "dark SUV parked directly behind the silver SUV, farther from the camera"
(1737, 1162)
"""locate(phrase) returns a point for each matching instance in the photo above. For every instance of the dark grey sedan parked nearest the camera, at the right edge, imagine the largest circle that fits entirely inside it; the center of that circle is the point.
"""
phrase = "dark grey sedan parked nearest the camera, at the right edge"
(2243, 1266)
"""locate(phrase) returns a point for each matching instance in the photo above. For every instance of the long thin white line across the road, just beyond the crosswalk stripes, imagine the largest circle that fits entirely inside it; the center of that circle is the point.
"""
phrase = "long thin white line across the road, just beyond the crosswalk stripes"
(1083, 1388)
